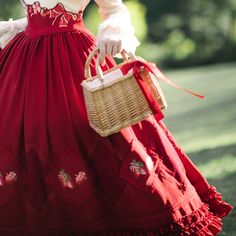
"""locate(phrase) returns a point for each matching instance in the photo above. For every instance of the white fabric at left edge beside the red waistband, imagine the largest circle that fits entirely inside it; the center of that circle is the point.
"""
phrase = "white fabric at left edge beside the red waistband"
(10, 28)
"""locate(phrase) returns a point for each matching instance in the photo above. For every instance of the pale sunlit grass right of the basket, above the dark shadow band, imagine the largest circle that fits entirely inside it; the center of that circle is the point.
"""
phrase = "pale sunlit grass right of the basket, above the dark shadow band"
(200, 124)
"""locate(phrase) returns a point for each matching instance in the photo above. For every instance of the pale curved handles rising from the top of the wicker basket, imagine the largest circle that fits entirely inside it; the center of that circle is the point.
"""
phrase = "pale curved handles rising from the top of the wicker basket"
(87, 70)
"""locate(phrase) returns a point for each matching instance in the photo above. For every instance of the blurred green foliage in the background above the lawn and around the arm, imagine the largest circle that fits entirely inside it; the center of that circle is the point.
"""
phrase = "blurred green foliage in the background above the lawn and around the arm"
(173, 33)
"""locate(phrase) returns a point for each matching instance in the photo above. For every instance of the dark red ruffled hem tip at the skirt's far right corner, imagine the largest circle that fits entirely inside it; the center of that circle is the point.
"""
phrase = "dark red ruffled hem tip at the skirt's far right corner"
(216, 204)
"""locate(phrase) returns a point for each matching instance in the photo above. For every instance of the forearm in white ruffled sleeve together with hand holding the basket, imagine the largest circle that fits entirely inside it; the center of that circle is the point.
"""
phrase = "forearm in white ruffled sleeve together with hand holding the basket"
(116, 32)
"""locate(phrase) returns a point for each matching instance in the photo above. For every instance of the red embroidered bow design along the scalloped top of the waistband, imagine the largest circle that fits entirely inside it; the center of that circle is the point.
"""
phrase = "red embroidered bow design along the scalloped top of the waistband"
(58, 12)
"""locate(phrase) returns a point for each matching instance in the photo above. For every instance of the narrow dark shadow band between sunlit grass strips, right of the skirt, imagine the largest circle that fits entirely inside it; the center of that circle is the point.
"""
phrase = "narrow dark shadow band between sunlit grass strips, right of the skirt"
(206, 155)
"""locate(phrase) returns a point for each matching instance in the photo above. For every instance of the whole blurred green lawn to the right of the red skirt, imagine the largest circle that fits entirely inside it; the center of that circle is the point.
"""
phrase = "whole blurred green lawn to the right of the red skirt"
(206, 129)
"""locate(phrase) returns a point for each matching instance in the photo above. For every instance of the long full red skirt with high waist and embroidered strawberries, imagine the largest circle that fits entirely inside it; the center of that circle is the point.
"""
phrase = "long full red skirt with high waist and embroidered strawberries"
(58, 177)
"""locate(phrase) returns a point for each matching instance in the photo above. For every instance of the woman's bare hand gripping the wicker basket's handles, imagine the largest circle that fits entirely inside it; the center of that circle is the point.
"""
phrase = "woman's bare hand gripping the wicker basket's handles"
(110, 46)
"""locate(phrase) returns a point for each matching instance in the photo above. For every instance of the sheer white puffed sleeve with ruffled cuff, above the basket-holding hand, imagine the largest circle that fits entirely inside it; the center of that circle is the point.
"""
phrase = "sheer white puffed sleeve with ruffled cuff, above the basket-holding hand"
(116, 23)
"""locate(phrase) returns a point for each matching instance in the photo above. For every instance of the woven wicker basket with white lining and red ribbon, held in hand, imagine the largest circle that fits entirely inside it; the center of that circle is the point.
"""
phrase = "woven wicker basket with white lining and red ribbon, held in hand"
(114, 101)
